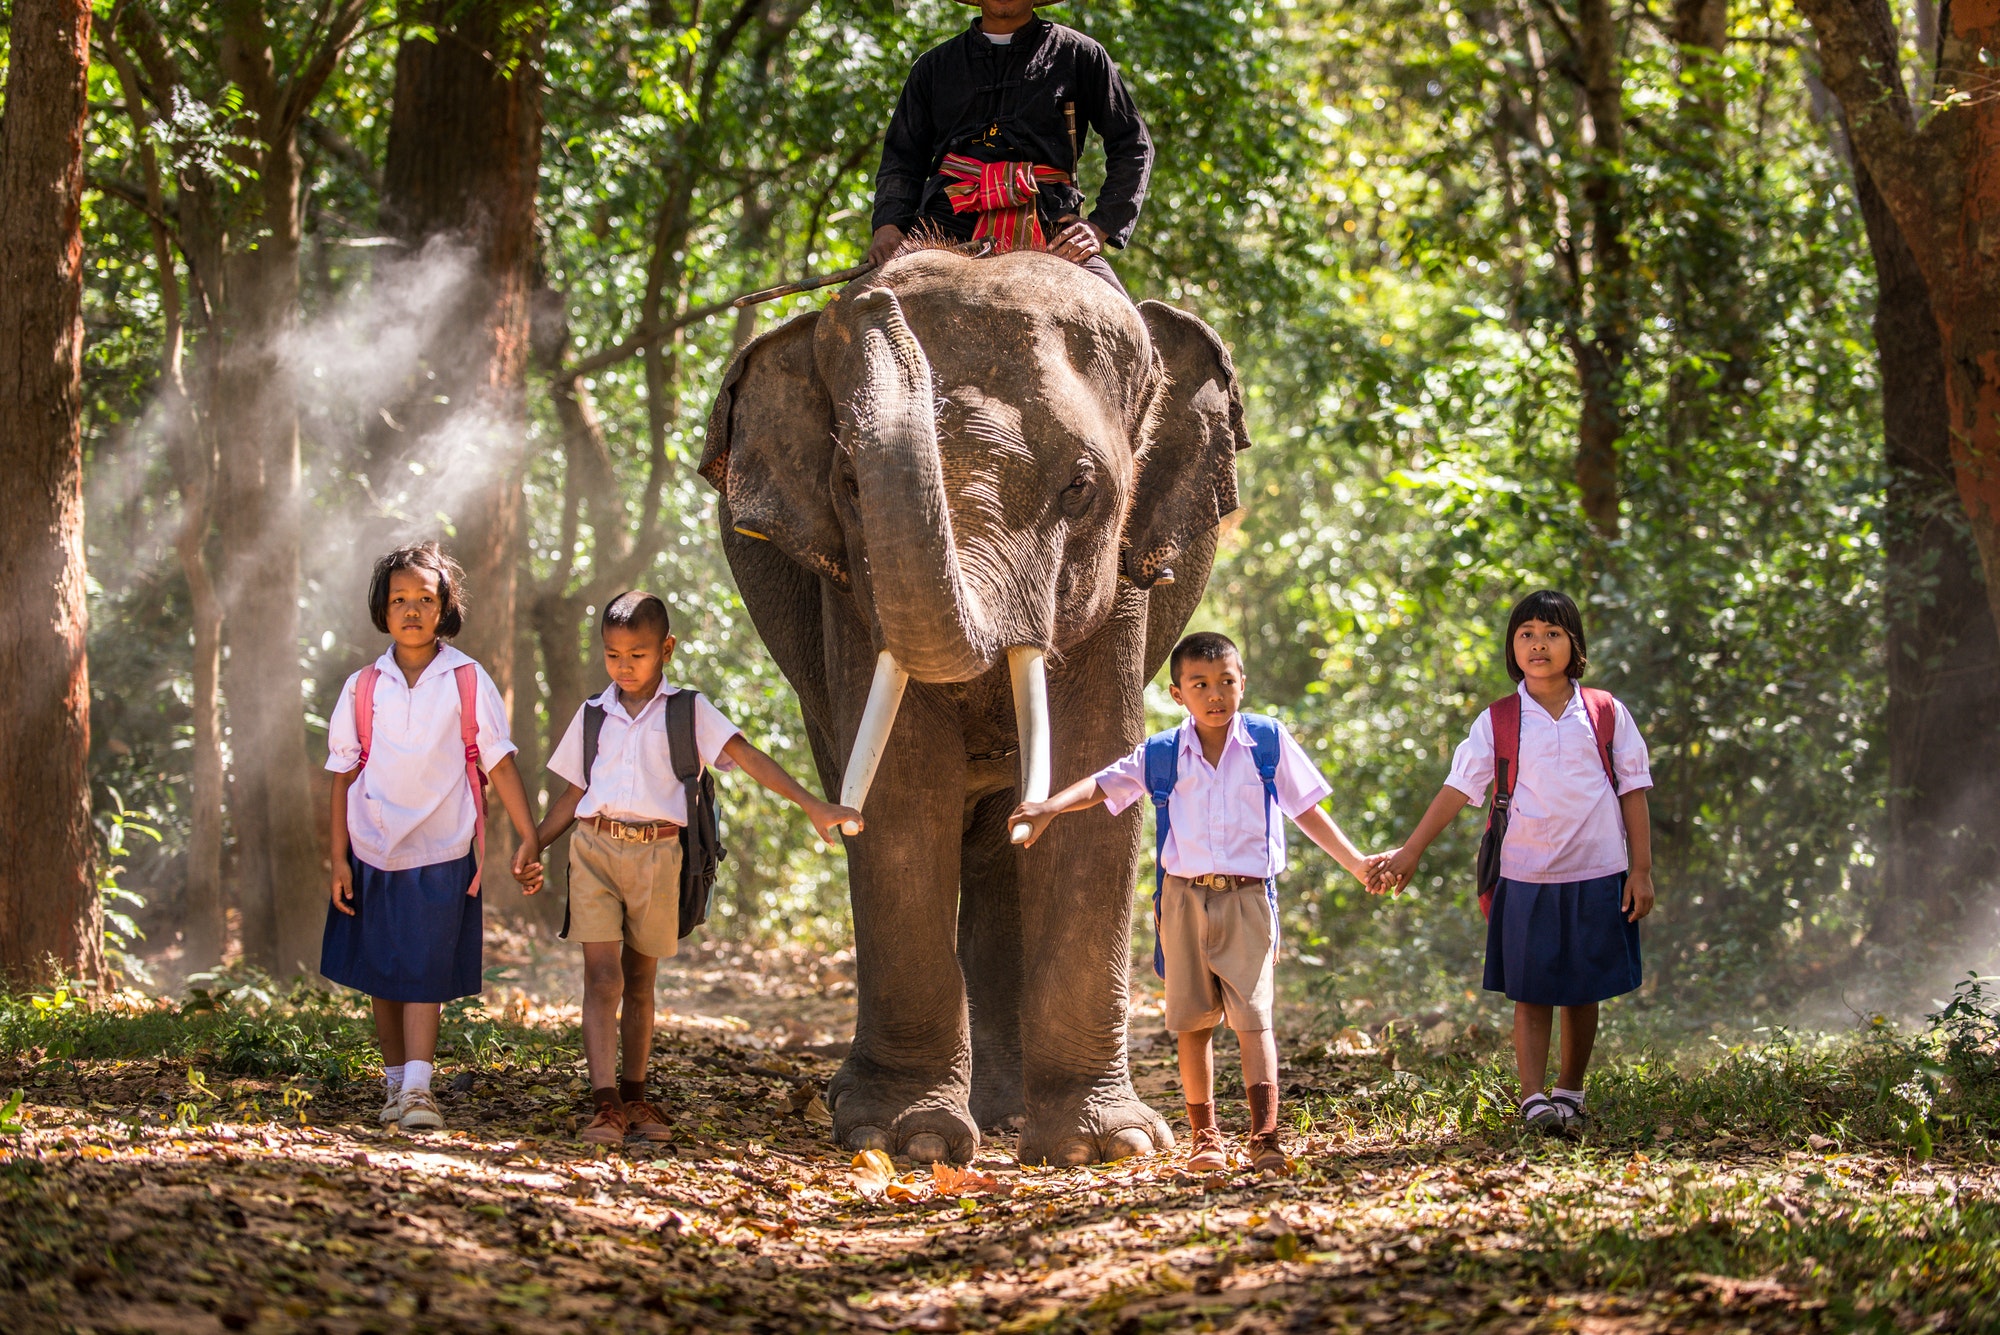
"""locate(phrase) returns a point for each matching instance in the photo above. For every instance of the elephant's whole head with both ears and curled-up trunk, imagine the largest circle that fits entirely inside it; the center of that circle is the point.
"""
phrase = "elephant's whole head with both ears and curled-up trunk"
(977, 451)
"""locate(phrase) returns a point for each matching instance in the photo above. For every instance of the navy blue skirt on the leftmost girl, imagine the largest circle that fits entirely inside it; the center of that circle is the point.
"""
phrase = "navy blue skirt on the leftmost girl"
(415, 936)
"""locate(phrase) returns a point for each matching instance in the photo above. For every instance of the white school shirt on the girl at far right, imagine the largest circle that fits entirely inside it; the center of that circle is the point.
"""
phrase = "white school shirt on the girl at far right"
(1565, 822)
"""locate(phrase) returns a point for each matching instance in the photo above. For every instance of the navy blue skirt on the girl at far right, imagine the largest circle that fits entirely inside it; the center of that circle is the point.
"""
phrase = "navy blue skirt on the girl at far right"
(1563, 944)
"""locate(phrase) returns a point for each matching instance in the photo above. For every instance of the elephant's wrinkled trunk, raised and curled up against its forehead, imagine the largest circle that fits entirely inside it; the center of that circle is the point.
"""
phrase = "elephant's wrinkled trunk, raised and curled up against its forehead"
(927, 611)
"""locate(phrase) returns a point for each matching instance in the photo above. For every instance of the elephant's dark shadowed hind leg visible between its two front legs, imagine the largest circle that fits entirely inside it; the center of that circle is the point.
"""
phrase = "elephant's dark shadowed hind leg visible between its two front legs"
(989, 952)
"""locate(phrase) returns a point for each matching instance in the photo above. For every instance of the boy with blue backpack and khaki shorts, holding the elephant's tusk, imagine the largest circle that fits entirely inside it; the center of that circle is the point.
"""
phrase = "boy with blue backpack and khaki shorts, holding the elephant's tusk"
(1219, 786)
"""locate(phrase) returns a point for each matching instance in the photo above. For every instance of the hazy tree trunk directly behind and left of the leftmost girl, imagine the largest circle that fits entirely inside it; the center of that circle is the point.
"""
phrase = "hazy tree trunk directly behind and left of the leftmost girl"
(255, 413)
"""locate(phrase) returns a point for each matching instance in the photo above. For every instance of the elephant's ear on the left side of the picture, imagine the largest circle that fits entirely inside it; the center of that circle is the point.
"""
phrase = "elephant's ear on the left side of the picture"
(771, 443)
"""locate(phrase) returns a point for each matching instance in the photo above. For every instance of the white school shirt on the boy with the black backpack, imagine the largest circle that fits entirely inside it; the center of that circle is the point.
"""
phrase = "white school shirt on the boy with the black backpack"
(633, 776)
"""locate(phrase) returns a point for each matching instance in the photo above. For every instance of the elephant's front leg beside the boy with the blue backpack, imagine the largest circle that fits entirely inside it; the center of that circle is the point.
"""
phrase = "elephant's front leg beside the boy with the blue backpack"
(1077, 922)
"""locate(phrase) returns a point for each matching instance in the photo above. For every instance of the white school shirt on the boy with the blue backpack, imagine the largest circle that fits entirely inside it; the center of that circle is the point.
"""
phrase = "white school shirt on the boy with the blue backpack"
(1217, 812)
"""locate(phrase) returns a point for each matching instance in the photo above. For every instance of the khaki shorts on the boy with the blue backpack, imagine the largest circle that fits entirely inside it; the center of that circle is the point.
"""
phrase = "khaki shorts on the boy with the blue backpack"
(1219, 954)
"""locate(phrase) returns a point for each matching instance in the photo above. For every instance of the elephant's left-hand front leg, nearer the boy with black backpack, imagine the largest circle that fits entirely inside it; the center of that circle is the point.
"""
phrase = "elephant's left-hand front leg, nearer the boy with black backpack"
(907, 1080)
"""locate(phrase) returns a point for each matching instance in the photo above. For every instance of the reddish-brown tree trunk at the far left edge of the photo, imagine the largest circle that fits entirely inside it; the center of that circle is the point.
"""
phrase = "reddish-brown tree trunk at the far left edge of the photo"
(49, 908)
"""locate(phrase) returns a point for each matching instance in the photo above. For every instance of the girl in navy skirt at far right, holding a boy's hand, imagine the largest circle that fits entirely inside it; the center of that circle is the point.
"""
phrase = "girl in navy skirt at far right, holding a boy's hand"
(1567, 864)
